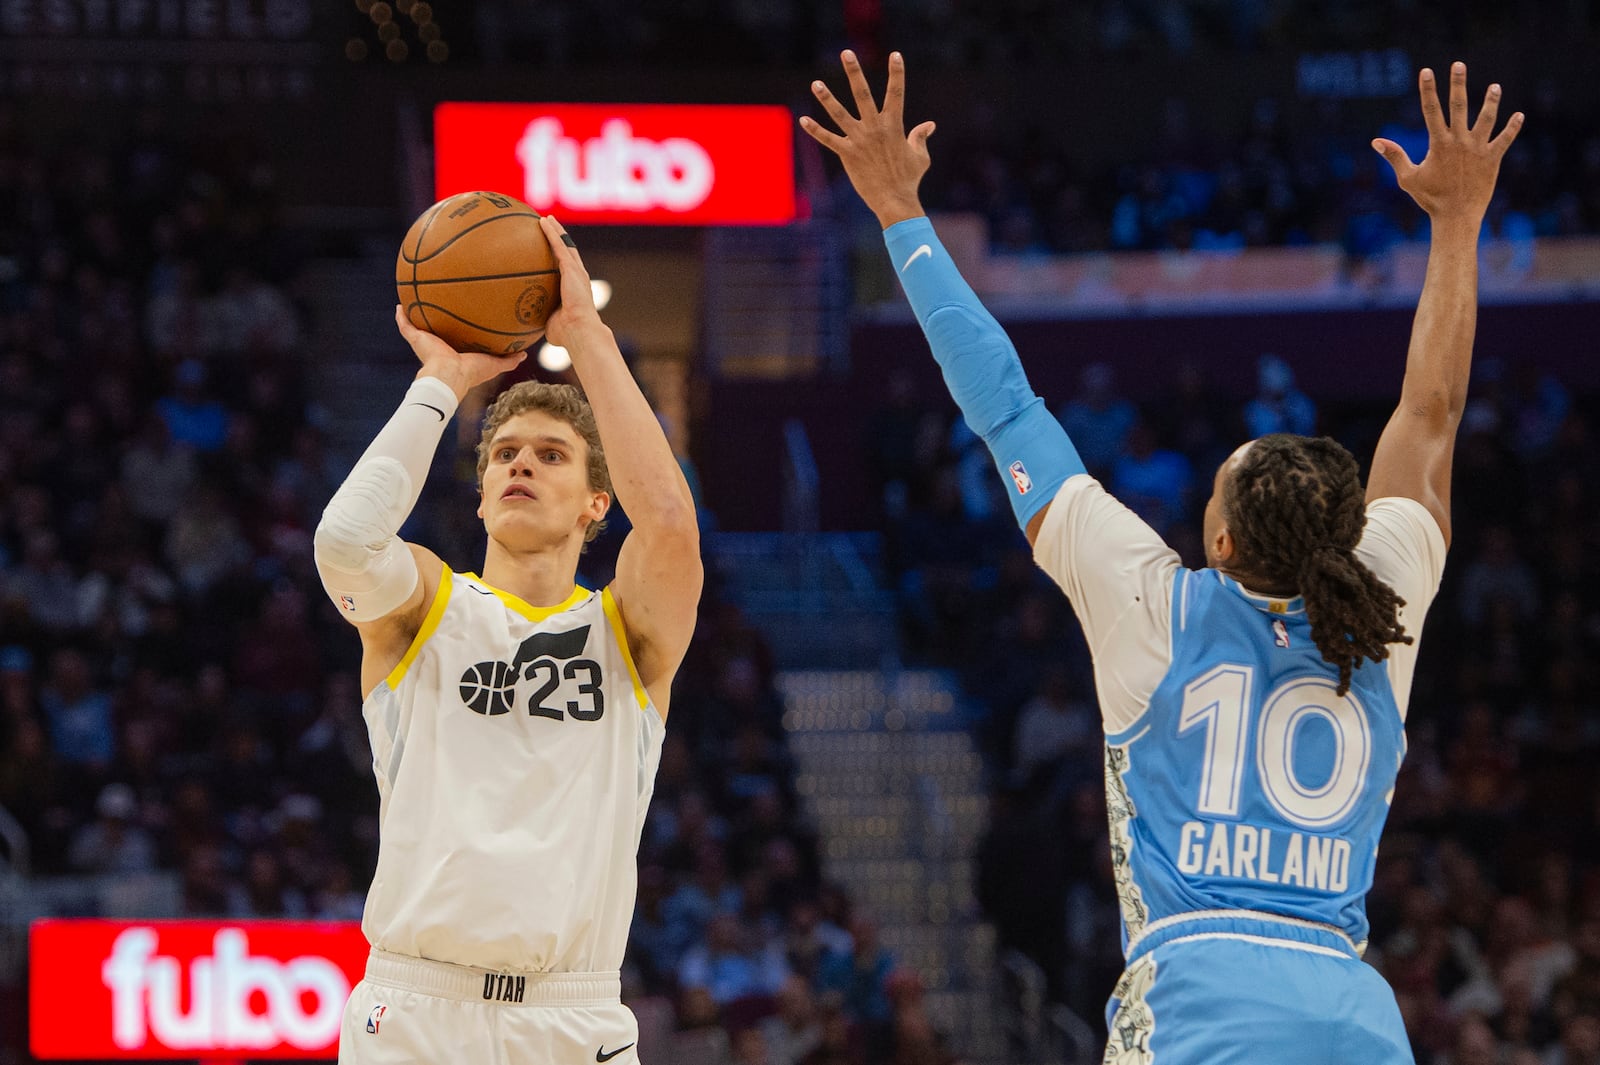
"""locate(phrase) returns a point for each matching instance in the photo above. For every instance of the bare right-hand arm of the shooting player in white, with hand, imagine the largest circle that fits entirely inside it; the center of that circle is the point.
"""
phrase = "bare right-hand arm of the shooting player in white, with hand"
(658, 570)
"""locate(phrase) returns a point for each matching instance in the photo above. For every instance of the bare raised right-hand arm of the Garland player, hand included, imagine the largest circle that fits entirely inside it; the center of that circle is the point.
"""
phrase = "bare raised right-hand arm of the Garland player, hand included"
(1454, 183)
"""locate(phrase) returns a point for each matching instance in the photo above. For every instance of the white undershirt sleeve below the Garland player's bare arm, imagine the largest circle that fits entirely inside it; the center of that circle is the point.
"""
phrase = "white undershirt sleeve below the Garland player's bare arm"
(1404, 546)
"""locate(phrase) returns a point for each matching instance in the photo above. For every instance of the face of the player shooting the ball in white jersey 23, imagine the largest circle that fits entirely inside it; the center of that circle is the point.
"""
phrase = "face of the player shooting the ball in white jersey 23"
(537, 484)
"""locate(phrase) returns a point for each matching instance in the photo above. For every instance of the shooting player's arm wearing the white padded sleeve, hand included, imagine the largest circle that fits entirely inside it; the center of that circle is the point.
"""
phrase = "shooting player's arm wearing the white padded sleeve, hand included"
(380, 583)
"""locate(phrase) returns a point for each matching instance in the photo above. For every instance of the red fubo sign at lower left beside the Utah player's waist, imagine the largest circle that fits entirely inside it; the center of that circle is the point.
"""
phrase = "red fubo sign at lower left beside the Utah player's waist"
(191, 989)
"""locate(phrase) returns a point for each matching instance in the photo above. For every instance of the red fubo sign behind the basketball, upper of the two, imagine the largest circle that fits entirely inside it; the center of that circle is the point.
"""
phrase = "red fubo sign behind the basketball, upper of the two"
(623, 164)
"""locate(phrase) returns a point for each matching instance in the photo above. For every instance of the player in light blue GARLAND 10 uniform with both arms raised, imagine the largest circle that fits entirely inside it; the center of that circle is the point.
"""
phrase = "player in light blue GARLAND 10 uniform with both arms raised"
(1254, 709)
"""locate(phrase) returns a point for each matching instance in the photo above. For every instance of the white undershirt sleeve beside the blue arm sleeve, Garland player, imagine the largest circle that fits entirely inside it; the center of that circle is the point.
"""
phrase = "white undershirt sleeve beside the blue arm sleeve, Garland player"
(1118, 575)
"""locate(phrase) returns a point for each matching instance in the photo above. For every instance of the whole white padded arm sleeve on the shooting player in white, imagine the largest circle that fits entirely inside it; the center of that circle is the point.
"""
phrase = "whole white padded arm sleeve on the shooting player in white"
(366, 568)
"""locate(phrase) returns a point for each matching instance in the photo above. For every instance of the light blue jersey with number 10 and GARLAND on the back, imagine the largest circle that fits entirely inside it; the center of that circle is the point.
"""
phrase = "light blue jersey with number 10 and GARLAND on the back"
(1250, 784)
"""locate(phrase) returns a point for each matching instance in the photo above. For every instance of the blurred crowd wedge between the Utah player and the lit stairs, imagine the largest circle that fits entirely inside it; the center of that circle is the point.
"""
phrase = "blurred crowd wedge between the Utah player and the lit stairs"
(735, 931)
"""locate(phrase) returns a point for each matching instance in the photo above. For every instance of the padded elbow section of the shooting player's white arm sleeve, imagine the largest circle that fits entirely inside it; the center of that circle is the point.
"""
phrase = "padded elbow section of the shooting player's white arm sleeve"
(367, 570)
